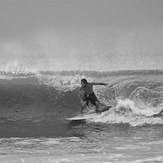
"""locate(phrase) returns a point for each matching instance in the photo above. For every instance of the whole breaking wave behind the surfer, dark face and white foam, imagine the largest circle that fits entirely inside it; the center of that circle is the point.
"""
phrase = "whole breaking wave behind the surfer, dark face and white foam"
(136, 96)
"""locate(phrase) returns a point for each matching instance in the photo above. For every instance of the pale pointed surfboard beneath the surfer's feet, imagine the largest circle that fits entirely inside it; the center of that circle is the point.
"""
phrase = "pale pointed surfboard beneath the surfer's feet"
(87, 115)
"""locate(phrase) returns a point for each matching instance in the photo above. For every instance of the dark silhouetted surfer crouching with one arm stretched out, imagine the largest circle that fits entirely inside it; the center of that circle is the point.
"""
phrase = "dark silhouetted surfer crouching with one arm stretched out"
(87, 94)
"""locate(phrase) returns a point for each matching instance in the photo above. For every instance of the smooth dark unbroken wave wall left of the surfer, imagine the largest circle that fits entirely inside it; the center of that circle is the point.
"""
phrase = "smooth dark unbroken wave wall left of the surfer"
(26, 99)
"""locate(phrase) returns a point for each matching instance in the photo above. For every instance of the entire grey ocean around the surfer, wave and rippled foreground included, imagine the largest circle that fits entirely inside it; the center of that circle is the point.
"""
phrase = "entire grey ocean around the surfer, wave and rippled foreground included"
(34, 105)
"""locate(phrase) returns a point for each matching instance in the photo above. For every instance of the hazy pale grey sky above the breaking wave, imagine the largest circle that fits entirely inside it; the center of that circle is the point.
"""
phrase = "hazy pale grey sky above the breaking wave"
(99, 35)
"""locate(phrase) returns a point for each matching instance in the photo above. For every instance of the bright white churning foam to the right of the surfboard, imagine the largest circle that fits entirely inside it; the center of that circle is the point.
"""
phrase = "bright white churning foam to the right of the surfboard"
(125, 112)
